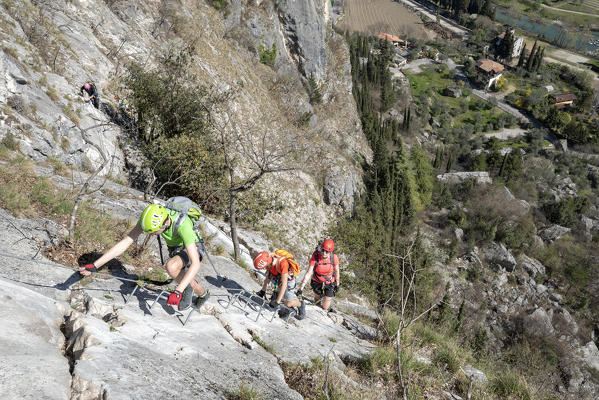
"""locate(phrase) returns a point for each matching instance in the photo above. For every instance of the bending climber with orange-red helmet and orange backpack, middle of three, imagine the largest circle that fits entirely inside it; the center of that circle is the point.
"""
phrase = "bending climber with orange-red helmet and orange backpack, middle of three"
(282, 271)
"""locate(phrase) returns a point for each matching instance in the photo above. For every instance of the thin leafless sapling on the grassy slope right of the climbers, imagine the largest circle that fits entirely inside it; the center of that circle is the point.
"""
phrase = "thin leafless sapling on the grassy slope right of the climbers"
(408, 311)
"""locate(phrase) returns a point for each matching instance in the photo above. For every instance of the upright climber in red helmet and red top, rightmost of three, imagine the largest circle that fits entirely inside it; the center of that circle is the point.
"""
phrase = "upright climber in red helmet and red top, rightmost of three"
(324, 271)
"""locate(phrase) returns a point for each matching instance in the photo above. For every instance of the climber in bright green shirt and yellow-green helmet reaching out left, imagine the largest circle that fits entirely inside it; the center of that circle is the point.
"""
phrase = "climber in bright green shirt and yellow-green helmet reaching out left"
(184, 249)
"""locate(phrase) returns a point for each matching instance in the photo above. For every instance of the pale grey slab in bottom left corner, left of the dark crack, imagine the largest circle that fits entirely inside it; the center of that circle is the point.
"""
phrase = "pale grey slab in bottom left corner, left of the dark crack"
(31, 362)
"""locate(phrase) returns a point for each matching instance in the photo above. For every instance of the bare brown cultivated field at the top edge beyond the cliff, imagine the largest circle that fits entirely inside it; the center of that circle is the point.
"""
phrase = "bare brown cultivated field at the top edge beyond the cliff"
(382, 16)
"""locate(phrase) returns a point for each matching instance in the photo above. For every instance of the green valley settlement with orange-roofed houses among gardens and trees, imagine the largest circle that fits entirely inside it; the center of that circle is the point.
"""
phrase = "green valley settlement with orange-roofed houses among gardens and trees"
(522, 91)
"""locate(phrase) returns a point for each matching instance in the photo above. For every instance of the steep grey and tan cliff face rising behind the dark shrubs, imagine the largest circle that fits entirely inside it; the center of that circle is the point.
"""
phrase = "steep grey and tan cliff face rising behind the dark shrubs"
(42, 67)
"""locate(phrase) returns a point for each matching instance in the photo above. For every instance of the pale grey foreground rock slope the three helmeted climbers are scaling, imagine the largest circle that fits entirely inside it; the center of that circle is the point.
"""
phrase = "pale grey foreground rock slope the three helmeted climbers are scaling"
(119, 351)
